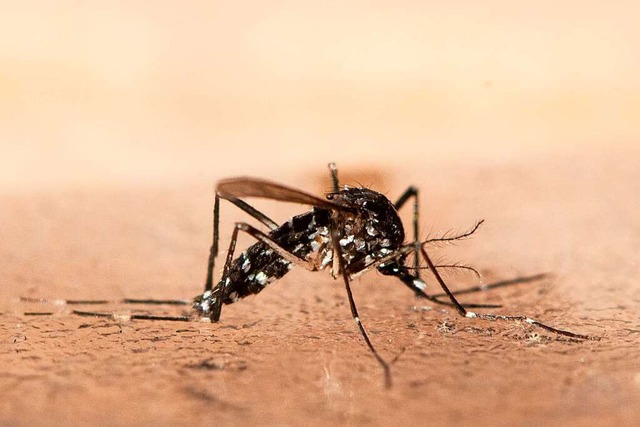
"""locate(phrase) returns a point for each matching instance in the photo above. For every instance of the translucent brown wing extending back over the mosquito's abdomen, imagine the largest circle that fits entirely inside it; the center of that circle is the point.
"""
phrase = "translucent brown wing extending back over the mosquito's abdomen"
(256, 187)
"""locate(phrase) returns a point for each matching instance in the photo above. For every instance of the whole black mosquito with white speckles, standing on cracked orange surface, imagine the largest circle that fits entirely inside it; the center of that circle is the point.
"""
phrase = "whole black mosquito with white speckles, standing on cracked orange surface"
(350, 231)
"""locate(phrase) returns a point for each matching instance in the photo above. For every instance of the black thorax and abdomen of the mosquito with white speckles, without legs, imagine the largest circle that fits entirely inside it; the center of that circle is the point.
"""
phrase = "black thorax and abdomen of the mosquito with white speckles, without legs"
(366, 236)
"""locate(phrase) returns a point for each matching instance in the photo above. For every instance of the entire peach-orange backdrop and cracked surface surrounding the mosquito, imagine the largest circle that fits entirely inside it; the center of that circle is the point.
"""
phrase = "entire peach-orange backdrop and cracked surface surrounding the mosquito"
(117, 118)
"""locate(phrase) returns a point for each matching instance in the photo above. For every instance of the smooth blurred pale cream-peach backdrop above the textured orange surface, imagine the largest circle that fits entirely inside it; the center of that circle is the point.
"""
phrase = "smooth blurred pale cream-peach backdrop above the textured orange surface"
(97, 93)
